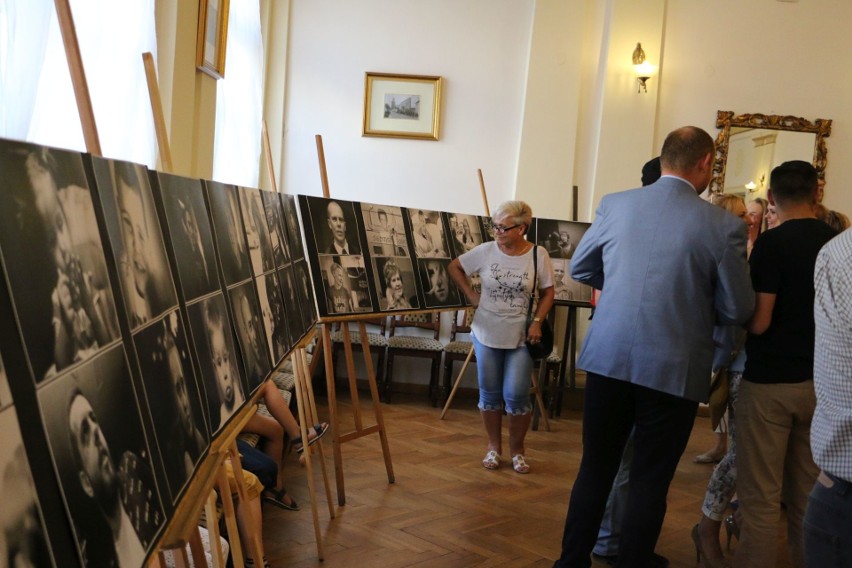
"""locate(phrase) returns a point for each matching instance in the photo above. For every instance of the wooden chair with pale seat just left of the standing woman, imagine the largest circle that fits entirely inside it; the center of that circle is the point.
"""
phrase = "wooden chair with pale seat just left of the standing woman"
(404, 345)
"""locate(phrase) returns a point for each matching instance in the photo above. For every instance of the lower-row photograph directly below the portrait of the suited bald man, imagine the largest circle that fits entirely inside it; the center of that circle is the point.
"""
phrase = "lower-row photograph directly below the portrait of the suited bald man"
(345, 284)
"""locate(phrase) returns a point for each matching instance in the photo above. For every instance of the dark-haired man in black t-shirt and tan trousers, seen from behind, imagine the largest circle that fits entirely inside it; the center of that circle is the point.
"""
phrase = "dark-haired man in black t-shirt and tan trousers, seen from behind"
(776, 400)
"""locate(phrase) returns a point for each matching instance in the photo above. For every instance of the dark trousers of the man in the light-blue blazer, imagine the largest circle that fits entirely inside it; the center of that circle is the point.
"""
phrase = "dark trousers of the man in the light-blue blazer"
(662, 424)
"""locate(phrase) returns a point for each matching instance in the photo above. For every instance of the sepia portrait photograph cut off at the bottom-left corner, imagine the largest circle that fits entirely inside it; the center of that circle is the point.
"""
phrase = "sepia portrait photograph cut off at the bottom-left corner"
(23, 537)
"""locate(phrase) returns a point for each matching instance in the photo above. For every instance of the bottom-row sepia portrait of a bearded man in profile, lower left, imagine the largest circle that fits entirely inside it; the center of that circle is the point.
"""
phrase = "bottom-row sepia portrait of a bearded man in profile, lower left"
(103, 463)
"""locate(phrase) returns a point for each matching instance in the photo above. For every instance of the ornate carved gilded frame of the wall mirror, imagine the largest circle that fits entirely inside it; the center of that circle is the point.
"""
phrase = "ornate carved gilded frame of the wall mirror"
(726, 119)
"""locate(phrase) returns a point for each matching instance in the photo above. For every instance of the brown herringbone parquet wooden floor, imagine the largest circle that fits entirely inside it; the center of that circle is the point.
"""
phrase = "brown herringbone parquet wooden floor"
(445, 510)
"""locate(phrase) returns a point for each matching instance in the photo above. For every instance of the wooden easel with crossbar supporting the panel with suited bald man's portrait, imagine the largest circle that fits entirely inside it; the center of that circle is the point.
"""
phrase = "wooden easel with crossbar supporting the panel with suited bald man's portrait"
(325, 345)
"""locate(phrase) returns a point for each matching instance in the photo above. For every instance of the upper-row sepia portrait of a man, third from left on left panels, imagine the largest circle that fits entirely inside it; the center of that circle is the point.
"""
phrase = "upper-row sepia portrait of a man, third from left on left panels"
(191, 236)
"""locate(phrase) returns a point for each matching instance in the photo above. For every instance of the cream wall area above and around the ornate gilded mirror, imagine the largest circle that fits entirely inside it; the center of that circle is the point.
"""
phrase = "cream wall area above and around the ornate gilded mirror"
(762, 56)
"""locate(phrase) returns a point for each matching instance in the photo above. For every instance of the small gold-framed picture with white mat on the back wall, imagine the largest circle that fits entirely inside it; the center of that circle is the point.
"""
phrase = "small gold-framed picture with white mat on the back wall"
(402, 106)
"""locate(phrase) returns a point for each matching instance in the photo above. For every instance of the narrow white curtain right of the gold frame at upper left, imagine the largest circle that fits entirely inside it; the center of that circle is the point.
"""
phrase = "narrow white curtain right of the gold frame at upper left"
(239, 99)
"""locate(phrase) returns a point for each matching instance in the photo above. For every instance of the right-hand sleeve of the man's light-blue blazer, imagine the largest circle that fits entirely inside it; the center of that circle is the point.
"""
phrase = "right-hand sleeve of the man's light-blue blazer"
(734, 294)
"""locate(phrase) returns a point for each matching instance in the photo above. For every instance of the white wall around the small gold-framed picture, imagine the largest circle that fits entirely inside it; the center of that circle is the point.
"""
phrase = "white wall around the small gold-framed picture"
(480, 47)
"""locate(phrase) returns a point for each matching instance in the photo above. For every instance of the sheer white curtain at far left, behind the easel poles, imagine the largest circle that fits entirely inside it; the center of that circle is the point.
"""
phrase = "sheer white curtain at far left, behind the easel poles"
(112, 37)
